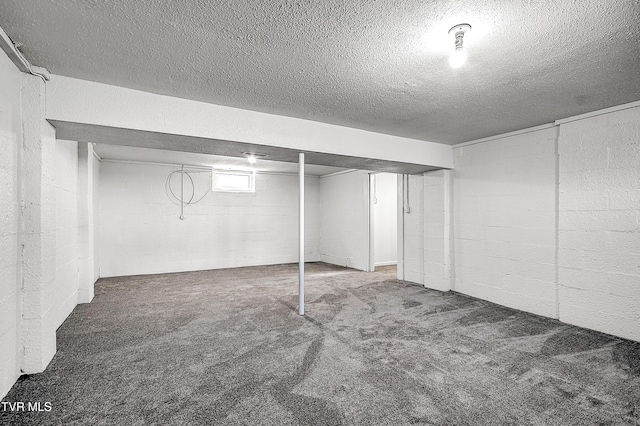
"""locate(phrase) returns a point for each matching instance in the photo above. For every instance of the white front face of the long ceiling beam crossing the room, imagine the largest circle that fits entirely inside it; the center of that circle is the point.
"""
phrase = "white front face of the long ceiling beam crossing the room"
(103, 106)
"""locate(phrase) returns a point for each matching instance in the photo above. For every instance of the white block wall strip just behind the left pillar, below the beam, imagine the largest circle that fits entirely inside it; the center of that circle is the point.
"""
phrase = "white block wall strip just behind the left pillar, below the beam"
(64, 292)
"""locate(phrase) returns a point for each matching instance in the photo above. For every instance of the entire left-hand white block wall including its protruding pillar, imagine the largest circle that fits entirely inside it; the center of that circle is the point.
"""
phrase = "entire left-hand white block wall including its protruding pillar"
(38, 227)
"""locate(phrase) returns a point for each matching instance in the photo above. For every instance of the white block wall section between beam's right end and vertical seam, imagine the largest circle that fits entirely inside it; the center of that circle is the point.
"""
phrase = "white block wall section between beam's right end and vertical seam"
(504, 221)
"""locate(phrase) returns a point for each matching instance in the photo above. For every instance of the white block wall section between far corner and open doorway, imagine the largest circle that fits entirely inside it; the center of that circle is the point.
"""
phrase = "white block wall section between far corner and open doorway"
(344, 212)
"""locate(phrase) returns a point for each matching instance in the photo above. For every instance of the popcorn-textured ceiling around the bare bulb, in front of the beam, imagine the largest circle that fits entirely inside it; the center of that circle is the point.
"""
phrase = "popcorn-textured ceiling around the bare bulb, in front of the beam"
(375, 65)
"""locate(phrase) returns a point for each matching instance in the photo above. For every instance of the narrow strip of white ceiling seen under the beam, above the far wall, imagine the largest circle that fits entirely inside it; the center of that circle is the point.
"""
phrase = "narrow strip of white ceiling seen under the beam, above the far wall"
(129, 153)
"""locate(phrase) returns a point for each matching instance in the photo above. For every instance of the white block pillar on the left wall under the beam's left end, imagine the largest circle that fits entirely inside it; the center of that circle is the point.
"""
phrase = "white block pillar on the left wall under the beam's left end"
(37, 331)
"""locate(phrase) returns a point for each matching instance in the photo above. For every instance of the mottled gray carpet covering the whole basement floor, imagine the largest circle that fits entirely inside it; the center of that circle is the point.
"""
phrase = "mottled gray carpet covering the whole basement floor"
(227, 347)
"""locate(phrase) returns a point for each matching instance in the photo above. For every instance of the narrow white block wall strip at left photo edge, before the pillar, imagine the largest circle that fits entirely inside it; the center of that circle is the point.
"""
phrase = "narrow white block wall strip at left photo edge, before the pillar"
(10, 269)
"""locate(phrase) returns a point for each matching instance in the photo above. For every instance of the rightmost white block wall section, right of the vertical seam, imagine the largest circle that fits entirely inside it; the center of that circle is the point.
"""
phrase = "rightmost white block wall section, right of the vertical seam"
(599, 223)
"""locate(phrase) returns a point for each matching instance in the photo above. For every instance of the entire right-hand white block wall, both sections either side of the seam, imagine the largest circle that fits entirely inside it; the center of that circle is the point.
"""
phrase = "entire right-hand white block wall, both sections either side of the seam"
(504, 212)
